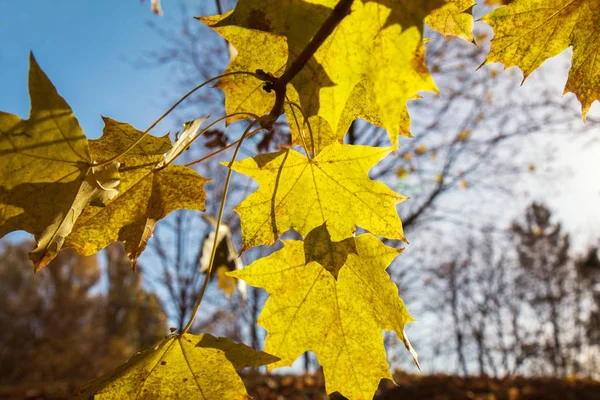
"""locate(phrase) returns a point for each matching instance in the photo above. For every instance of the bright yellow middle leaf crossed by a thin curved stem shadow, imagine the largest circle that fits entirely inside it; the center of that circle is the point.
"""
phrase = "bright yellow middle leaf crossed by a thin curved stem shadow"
(300, 193)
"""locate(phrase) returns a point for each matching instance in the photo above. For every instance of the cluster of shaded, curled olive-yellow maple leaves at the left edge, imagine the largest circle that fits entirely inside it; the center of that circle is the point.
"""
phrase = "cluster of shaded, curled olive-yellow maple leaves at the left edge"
(54, 185)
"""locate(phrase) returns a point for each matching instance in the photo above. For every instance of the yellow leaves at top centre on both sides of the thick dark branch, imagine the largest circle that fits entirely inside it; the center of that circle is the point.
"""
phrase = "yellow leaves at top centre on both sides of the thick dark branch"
(369, 67)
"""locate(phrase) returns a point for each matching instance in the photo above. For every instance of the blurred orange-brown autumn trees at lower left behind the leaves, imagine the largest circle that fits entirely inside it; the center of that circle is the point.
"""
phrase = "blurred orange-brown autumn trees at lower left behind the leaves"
(59, 325)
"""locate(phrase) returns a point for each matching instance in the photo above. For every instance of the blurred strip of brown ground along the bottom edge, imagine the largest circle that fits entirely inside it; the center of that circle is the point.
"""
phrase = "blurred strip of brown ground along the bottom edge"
(413, 387)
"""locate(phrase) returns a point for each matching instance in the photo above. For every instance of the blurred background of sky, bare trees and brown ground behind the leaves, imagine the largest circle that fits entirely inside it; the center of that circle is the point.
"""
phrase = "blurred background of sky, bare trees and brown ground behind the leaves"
(502, 271)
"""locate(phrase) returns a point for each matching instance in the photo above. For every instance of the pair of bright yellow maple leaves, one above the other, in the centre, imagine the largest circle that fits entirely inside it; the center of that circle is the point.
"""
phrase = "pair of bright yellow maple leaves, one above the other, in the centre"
(330, 293)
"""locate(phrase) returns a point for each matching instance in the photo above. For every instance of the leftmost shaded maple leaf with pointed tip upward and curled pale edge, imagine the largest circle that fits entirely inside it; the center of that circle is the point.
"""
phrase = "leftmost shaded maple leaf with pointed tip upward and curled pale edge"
(46, 171)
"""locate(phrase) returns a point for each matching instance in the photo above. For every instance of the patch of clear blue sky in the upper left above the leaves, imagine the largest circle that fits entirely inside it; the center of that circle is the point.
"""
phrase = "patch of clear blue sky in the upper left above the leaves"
(88, 48)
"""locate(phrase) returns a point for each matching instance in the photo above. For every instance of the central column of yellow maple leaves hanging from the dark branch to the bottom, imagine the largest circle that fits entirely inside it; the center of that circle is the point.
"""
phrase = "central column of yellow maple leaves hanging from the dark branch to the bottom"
(369, 67)
